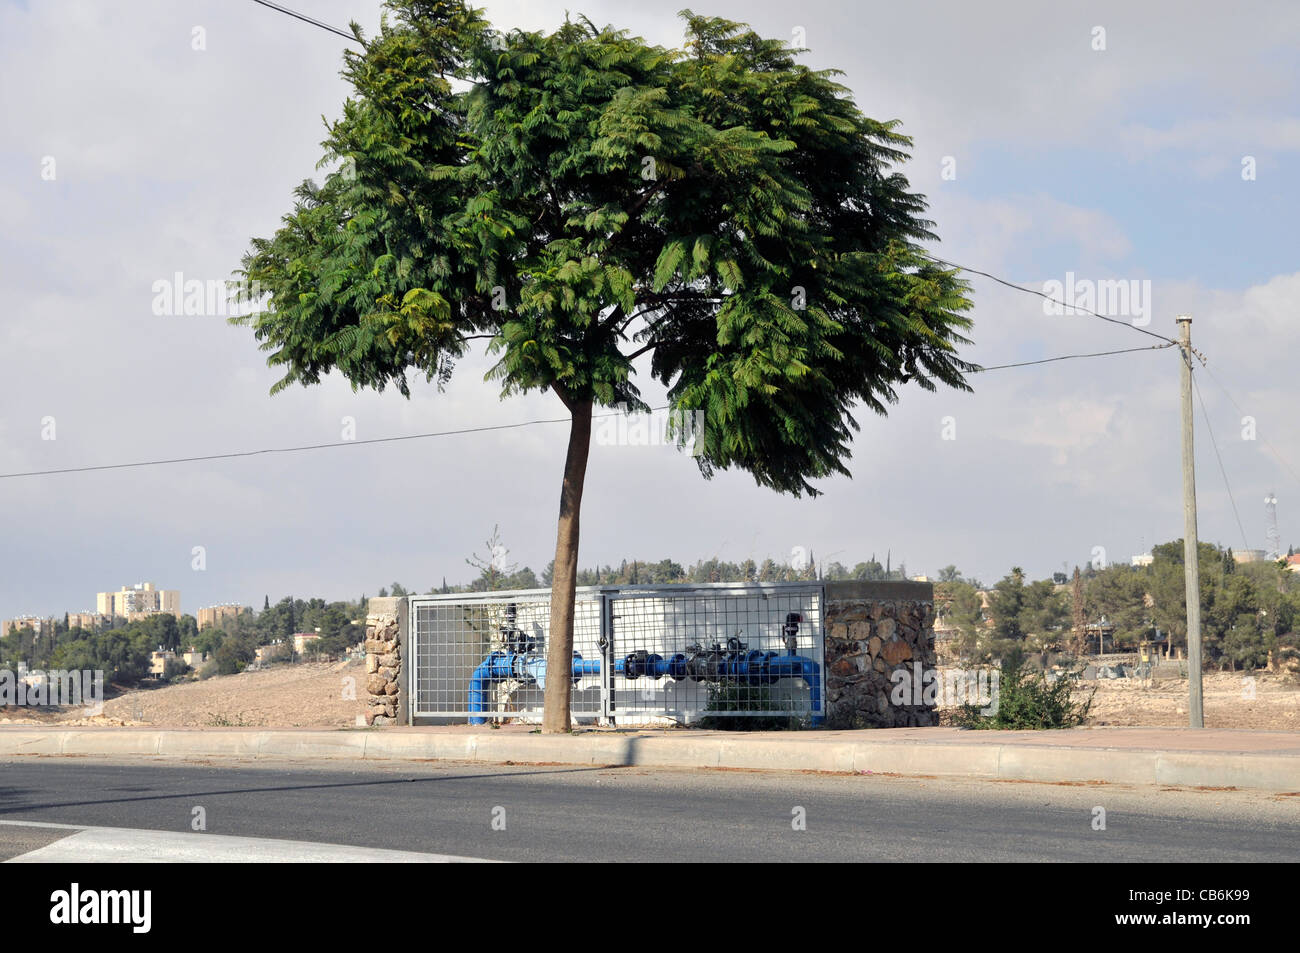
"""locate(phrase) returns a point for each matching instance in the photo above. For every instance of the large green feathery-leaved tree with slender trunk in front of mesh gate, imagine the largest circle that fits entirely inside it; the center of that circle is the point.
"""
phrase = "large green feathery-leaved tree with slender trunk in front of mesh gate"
(582, 200)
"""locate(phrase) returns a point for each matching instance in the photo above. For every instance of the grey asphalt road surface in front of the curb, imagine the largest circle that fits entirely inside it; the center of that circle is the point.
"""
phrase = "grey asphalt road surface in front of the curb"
(564, 813)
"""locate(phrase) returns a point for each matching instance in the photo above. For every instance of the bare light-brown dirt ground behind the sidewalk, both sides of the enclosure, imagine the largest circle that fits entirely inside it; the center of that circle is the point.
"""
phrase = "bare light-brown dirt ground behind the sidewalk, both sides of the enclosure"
(314, 696)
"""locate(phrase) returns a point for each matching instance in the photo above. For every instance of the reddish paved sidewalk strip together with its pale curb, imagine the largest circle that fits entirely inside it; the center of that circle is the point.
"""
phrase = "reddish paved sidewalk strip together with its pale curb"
(1221, 759)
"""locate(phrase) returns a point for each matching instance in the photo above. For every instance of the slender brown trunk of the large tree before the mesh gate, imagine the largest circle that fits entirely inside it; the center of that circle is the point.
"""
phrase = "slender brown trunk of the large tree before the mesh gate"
(560, 648)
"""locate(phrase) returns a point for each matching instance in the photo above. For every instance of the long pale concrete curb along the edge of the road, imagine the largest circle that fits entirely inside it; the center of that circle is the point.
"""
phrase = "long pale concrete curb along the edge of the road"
(993, 761)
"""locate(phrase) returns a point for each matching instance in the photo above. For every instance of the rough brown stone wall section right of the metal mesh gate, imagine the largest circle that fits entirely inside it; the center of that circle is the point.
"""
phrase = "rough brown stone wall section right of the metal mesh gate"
(872, 631)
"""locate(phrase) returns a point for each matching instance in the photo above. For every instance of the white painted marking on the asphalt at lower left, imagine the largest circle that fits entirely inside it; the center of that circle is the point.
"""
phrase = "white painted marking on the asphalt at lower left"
(132, 846)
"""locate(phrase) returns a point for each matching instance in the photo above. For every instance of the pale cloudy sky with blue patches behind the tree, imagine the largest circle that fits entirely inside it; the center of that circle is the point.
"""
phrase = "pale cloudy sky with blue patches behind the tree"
(1073, 144)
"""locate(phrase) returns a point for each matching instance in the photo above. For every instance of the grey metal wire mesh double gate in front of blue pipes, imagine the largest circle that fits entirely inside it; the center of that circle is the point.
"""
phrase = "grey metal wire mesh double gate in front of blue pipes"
(643, 655)
